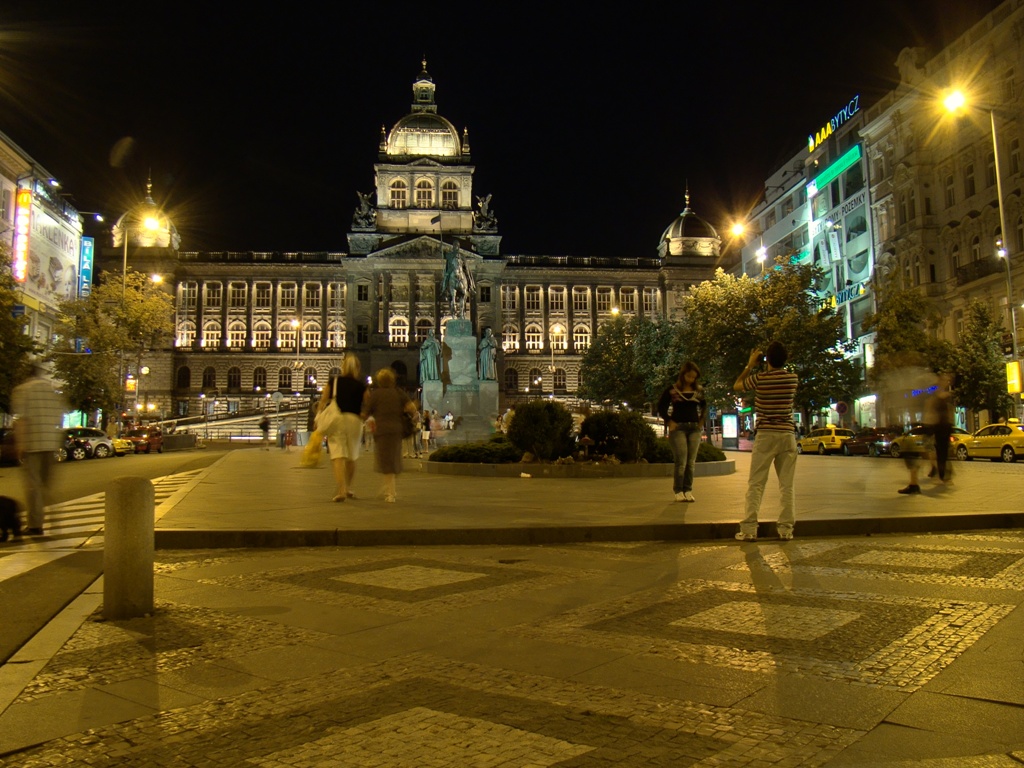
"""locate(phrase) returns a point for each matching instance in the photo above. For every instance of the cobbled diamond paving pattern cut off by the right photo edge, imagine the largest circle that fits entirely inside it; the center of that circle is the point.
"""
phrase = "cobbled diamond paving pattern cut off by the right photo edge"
(993, 568)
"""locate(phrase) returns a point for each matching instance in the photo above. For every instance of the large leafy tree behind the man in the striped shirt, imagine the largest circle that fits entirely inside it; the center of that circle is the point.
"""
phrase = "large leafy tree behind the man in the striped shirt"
(728, 318)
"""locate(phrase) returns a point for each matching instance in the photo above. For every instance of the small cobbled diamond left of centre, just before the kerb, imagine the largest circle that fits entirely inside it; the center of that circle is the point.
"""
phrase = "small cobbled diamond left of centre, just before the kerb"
(407, 586)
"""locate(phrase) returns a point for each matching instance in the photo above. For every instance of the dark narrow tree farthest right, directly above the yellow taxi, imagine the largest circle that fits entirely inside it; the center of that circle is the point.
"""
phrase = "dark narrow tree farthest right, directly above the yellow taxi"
(979, 365)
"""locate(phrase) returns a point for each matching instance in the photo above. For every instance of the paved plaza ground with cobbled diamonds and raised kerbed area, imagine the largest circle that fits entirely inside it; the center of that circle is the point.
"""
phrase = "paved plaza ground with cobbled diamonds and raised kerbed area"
(888, 650)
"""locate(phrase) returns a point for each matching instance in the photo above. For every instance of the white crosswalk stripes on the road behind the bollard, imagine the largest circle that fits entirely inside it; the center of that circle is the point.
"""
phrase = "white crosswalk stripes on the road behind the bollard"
(74, 526)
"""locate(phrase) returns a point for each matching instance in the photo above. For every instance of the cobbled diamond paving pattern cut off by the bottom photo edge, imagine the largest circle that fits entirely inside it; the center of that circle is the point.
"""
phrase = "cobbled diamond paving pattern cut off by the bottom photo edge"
(425, 711)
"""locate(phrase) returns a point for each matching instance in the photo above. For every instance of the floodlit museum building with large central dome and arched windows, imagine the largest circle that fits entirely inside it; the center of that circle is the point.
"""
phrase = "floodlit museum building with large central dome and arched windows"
(252, 324)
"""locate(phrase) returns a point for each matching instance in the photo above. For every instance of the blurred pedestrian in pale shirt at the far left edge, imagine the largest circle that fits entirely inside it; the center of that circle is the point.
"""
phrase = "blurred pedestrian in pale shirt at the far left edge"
(40, 414)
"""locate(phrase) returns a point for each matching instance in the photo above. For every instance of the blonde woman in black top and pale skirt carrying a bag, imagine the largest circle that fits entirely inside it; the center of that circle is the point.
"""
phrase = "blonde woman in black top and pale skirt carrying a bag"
(339, 419)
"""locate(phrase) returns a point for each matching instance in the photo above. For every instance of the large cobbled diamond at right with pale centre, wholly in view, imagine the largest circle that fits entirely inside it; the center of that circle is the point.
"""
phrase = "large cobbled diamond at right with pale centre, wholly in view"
(882, 642)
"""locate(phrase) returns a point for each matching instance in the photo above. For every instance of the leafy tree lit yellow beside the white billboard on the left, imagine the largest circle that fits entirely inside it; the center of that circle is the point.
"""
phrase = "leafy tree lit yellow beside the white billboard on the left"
(100, 335)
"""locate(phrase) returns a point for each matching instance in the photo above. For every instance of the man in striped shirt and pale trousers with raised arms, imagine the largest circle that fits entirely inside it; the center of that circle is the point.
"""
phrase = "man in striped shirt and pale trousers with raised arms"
(776, 443)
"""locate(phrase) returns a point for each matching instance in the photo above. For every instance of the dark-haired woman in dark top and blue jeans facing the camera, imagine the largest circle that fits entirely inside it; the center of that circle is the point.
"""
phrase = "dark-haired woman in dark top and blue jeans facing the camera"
(684, 407)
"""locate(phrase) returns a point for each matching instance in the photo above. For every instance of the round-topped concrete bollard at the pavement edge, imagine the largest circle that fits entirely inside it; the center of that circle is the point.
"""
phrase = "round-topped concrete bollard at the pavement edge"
(129, 535)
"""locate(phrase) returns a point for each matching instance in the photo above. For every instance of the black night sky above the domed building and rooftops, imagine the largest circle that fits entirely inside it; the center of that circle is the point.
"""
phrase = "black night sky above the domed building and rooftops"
(585, 124)
